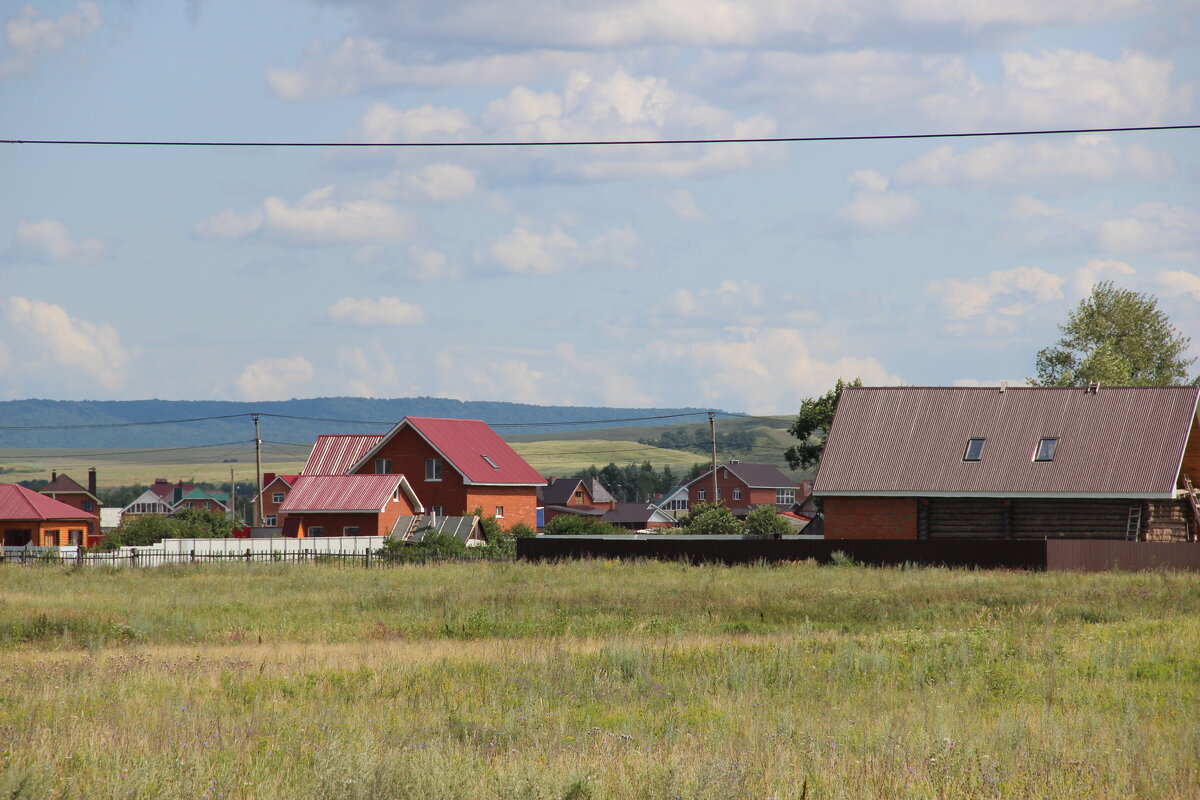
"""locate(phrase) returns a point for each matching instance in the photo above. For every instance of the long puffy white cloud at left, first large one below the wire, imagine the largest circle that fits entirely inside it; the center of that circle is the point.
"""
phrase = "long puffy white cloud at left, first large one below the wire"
(319, 219)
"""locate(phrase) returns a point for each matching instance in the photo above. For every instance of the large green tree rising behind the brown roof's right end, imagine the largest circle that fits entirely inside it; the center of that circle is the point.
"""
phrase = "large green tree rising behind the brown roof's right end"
(1115, 338)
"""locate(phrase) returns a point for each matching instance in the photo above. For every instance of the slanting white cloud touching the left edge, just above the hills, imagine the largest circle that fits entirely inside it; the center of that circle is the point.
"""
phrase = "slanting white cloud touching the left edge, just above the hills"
(79, 345)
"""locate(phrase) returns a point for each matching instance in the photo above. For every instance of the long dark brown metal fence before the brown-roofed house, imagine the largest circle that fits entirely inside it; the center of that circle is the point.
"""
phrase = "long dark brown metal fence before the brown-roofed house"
(985, 555)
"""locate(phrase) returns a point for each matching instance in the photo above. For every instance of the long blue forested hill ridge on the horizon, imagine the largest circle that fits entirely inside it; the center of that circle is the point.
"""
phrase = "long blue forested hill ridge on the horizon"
(297, 422)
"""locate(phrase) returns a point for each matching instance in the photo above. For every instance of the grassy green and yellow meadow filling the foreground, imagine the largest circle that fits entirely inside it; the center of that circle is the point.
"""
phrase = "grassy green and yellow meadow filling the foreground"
(597, 681)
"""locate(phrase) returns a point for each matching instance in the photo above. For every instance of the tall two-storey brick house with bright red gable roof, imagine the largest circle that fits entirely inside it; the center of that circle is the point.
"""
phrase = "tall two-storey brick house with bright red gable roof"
(455, 467)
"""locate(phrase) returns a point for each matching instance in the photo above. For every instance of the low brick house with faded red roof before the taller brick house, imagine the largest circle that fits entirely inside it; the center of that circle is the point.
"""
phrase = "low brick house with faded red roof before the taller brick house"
(349, 506)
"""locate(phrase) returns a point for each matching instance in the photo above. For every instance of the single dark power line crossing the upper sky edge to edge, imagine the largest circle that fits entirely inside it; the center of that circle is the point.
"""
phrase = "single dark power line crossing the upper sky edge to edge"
(592, 143)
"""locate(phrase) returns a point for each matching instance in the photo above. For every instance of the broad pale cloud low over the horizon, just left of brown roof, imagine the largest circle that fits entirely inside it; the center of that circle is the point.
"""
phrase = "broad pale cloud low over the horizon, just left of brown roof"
(765, 371)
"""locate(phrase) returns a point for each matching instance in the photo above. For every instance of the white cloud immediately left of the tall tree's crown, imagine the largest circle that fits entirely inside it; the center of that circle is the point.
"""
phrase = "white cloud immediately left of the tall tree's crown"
(1000, 298)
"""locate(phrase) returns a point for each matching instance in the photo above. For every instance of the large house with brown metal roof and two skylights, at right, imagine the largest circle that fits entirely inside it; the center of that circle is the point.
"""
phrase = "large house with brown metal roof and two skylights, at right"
(1102, 462)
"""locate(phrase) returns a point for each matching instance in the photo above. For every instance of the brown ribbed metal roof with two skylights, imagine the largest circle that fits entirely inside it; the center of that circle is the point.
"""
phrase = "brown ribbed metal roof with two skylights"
(910, 441)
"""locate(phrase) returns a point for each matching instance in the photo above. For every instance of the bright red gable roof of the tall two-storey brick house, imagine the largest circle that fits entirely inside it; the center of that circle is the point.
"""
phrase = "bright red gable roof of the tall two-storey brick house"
(471, 447)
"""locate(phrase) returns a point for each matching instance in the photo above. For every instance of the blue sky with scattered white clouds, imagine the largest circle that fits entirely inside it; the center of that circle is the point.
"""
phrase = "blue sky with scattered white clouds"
(734, 276)
